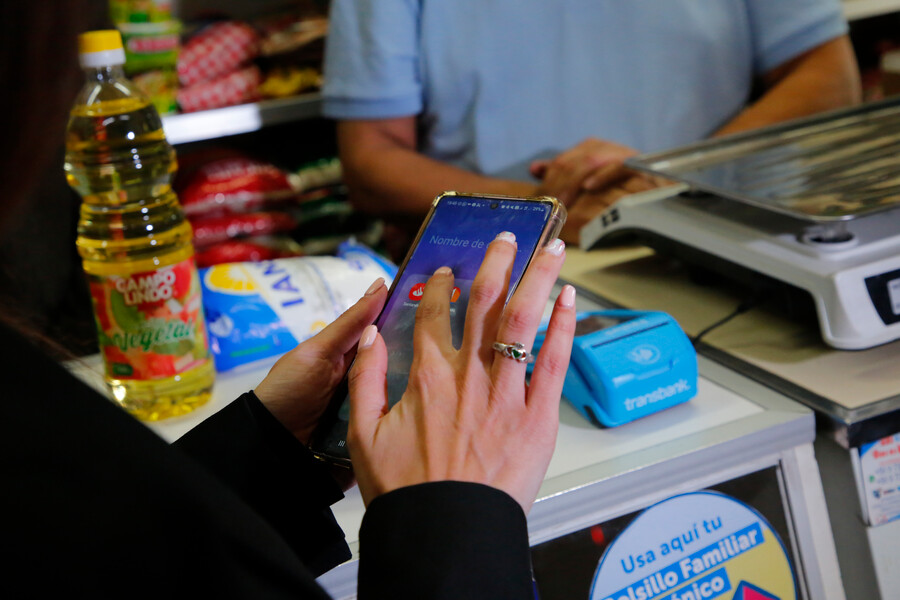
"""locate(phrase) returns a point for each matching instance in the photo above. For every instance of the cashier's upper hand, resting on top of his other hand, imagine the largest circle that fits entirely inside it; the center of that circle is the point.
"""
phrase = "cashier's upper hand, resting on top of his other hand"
(591, 166)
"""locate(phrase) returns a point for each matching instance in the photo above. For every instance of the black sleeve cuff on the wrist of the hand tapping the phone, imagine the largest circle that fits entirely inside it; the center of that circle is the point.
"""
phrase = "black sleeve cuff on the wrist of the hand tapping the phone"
(445, 540)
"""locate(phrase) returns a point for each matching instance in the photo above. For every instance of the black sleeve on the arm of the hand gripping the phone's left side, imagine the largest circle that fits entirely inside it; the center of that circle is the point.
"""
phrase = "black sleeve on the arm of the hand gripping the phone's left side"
(251, 452)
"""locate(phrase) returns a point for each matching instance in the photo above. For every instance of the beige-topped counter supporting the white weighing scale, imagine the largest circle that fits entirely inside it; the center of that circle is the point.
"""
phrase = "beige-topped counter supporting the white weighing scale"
(854, 393)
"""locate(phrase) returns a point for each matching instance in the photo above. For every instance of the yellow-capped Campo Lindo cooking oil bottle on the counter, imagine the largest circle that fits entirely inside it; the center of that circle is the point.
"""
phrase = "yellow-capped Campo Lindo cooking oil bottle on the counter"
(134, 242)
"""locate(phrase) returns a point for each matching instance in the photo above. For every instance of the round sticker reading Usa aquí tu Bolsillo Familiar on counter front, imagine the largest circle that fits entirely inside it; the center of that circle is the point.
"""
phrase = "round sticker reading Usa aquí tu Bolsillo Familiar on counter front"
(696, 546)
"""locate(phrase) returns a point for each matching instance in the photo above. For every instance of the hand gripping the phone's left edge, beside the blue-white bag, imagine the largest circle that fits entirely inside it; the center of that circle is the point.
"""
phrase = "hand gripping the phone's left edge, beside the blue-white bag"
(297, 389)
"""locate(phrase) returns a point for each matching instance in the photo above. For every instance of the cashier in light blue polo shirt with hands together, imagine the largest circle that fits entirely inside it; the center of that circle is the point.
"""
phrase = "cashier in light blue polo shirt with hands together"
(530, 97)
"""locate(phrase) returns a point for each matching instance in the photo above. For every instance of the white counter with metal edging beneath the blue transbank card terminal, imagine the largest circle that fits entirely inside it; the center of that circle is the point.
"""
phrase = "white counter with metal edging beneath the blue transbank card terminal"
(736, 436)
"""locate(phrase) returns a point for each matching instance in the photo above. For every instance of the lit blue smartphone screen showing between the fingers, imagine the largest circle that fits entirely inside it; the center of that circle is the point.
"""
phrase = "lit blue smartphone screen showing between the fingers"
(457, 236)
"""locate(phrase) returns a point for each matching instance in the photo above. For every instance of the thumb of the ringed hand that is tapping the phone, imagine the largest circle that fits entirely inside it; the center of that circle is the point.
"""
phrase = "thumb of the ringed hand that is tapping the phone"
(367, 384)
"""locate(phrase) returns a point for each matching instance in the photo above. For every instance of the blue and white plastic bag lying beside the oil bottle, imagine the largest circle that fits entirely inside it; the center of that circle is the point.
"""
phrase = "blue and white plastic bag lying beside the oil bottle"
(256, 311)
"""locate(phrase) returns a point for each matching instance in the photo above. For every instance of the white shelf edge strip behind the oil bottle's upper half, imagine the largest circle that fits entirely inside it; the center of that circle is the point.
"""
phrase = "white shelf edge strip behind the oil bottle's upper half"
(244, 118)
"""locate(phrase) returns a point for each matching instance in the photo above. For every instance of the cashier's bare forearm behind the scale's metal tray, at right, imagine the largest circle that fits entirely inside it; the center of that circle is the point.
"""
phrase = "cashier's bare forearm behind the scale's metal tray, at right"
(823, 78)
